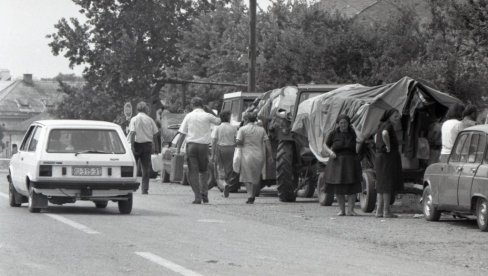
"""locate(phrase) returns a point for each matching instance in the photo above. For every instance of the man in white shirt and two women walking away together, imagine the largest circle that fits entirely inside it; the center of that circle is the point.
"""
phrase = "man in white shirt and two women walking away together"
(249, 141)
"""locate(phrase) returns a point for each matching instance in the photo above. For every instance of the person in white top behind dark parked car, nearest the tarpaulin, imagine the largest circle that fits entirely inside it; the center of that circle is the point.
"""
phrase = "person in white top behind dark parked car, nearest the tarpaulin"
(450, 129)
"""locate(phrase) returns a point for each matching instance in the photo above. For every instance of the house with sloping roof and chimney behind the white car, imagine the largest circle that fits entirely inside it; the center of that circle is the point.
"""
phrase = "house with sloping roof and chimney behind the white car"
(23, 102)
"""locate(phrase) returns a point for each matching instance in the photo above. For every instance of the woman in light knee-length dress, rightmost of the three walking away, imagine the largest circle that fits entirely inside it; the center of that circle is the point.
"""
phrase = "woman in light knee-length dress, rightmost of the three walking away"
(252, 140)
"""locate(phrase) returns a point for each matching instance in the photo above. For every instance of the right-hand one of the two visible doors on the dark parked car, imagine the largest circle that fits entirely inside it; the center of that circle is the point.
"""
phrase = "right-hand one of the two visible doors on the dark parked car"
(475, 157)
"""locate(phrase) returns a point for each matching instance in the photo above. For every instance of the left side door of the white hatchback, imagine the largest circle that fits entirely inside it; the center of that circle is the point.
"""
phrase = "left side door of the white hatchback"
(18, 160)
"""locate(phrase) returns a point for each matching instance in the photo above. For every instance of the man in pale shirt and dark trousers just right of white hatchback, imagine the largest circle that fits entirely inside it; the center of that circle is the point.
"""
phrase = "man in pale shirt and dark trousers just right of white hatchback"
(142, 129)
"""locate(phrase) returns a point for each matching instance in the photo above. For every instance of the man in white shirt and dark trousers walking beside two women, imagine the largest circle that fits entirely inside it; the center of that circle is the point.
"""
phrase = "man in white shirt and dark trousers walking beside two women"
(196, 128)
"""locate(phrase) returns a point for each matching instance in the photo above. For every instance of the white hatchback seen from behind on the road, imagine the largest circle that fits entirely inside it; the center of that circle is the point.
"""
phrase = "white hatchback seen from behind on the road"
(61, 161)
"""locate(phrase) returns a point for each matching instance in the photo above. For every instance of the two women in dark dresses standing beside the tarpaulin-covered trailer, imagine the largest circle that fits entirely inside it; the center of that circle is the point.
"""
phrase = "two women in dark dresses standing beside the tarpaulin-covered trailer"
(343, 170)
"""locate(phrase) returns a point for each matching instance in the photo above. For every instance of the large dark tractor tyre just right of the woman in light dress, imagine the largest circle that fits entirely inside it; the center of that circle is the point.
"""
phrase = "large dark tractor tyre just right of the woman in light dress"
(286, 177)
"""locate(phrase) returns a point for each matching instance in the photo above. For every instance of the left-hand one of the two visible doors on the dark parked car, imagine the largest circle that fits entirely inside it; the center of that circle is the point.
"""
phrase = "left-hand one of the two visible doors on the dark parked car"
(448, 189)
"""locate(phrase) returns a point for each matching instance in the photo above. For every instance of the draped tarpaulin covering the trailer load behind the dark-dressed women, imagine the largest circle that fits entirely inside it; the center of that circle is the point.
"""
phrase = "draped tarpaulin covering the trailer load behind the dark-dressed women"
(316, 117)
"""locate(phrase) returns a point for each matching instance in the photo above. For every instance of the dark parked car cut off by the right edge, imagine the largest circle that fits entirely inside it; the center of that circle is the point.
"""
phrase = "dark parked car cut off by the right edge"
(460, 185)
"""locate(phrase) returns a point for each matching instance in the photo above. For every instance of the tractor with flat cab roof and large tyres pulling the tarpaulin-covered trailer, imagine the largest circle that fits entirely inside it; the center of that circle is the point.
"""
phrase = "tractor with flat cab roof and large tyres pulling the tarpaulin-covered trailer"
(295, 168)
